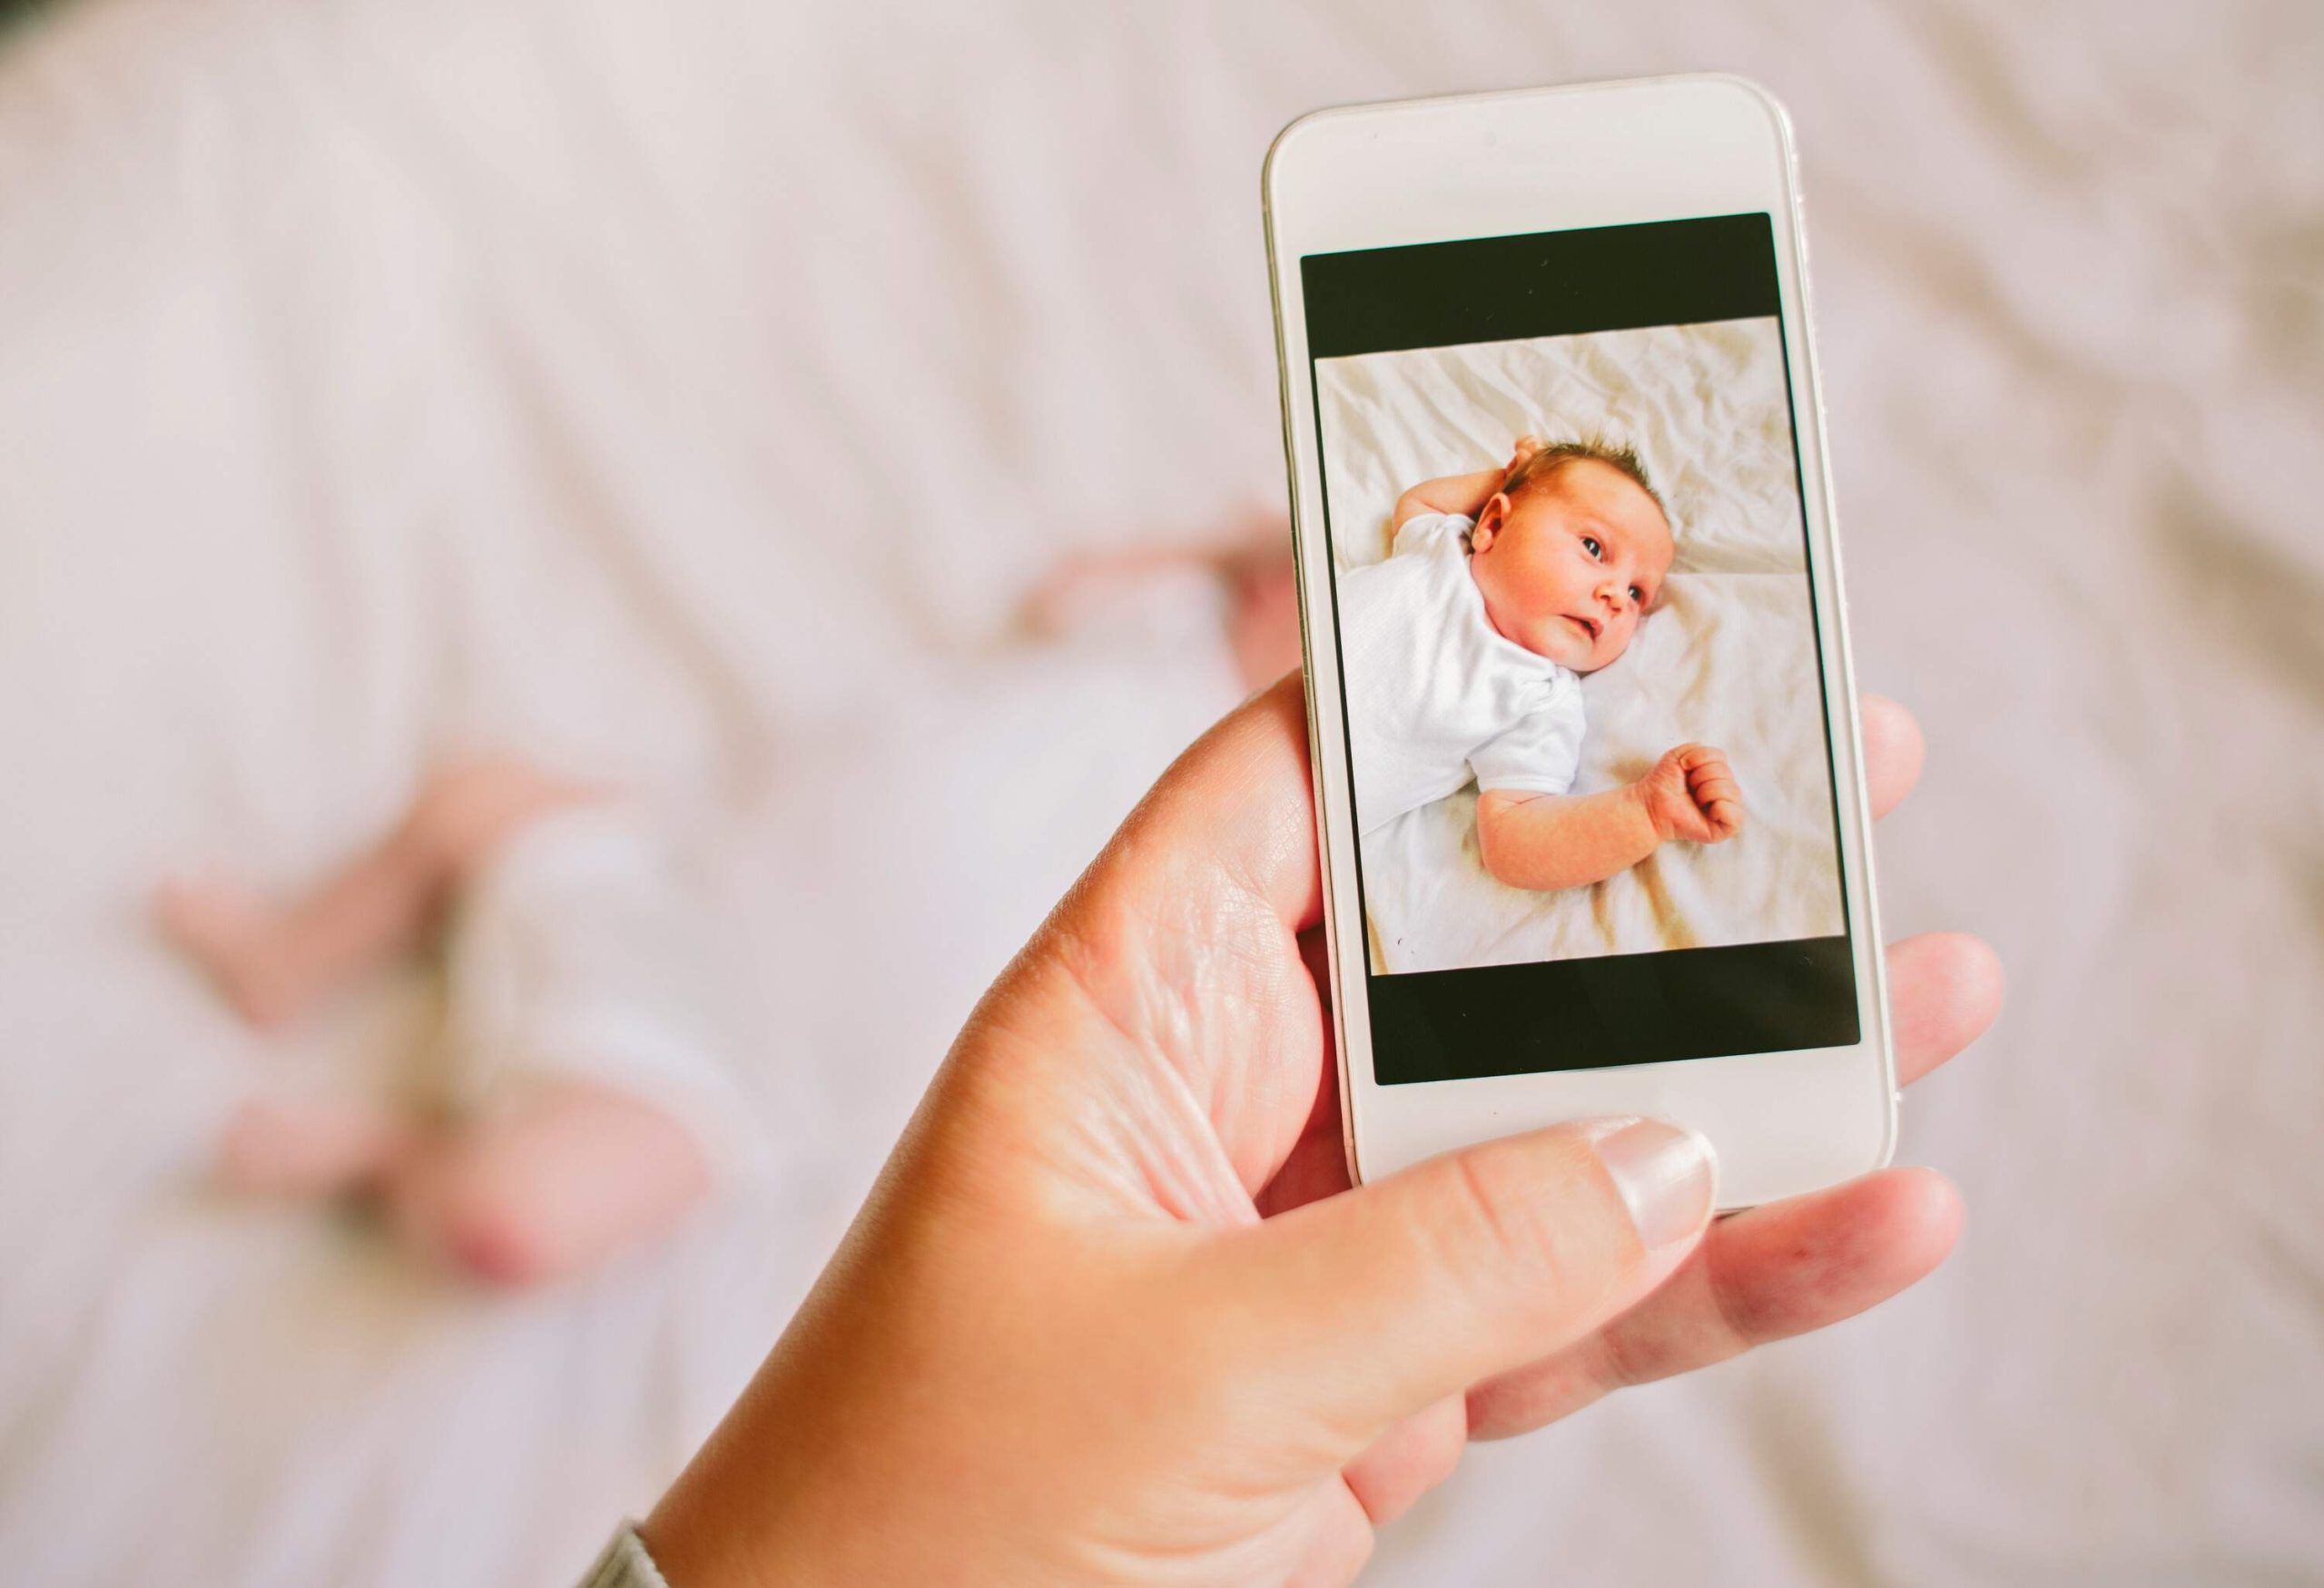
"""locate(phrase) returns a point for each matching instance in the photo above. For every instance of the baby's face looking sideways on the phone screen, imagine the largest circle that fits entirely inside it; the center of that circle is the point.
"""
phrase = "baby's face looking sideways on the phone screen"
(1572, 566)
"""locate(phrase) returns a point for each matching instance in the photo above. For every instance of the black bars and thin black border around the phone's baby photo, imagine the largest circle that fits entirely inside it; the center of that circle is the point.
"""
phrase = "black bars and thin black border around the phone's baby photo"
(1602, 1010)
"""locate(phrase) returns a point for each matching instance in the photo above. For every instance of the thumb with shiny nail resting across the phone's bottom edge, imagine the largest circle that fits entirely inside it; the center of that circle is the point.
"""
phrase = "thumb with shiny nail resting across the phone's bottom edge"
(1421, 1285)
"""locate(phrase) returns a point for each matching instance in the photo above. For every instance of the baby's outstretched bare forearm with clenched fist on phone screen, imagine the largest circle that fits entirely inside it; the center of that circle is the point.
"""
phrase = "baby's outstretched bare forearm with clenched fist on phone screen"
(1542, 843)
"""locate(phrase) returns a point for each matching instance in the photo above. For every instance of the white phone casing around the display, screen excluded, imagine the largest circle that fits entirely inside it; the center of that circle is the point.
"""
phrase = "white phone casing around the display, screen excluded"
(1542, 162)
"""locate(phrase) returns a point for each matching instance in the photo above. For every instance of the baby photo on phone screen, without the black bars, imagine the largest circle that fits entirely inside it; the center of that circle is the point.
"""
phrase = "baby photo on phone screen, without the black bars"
(1581, 678)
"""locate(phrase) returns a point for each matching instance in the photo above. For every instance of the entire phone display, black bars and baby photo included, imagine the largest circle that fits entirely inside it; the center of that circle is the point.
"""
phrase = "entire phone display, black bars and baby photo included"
(1579, 652)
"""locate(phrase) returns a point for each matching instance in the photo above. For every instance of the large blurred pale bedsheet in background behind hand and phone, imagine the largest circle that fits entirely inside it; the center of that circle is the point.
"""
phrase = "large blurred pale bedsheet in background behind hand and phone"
(694, 385)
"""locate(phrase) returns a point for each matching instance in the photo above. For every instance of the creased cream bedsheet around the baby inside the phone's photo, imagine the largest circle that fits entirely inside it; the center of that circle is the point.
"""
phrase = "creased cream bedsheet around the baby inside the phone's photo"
(1726, 659)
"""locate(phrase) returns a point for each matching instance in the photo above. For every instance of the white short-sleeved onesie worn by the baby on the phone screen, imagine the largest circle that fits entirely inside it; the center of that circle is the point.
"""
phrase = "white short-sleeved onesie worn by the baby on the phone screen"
(1435, 692)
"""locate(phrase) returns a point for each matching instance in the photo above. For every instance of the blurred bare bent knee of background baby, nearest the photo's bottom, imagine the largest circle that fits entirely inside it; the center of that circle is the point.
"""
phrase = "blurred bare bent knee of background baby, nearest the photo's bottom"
(550, 1187)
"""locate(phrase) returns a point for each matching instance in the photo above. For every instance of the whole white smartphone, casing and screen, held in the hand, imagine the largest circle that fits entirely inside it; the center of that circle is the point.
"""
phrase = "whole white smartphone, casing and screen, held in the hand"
(1588, 780)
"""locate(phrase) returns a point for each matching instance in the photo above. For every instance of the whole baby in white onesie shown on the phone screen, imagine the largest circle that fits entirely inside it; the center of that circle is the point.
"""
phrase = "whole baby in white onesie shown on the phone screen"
(1465, 648)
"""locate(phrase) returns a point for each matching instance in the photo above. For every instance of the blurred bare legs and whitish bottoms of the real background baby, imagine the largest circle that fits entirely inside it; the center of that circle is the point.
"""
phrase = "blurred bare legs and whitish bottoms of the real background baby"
(582, 1108)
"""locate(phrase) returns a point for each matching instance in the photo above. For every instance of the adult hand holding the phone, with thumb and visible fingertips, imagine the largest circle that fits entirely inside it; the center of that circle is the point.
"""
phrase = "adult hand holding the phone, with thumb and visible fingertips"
(1117, 1301)
